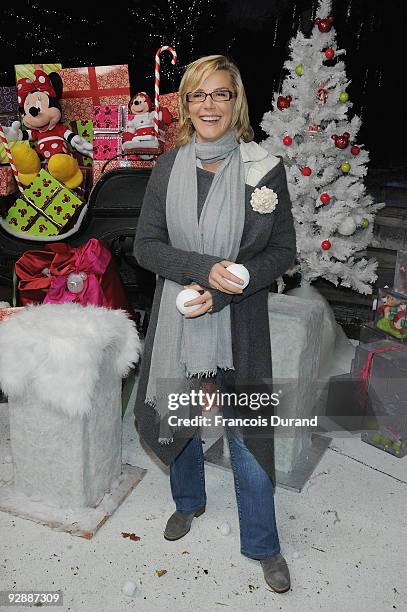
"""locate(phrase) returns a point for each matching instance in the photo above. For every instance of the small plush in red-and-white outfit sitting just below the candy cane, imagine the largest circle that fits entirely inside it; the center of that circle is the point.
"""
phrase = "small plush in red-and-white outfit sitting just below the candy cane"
(139, 132)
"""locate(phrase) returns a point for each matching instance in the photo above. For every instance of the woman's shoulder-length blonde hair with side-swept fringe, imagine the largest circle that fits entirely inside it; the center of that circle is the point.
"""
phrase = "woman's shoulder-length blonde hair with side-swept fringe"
(193, 76)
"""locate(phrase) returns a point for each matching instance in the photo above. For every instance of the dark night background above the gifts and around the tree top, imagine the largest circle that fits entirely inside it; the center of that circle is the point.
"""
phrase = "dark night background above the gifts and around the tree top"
(255, 33)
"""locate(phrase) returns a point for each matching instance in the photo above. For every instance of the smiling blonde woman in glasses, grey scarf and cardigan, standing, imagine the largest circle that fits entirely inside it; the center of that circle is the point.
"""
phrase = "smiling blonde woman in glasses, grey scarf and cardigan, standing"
(200, 214)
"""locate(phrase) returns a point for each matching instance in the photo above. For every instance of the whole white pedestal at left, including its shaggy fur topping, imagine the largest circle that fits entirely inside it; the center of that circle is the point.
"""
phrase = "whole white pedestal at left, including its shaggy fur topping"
(63, 376)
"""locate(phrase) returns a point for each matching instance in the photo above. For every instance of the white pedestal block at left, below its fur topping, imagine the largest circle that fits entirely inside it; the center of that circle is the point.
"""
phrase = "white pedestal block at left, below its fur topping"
(64, 461)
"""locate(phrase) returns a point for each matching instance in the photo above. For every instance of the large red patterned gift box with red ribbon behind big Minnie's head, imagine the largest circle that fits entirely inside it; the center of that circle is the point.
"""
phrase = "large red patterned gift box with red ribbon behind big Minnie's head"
(87, 87)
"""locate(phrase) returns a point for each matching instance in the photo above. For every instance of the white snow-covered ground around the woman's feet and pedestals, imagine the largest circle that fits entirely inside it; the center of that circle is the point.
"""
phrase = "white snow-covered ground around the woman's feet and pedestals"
(344, 537)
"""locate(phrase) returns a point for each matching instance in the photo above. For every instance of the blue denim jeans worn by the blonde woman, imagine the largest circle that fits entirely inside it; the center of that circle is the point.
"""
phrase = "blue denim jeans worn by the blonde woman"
(253, 488)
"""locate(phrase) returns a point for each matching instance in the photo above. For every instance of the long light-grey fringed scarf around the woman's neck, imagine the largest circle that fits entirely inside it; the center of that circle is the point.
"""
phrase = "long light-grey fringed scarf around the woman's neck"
(183, 348)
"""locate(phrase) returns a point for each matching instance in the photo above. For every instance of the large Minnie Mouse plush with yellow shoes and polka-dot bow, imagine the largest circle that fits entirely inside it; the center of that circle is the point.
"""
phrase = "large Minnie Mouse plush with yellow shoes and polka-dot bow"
(38, 100)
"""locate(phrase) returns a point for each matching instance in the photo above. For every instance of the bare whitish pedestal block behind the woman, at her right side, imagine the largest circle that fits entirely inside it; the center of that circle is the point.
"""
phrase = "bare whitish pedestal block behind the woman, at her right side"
(295, 332)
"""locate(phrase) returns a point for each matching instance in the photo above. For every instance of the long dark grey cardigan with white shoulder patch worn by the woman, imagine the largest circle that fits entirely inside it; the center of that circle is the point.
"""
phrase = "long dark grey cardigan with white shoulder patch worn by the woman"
(267, 249)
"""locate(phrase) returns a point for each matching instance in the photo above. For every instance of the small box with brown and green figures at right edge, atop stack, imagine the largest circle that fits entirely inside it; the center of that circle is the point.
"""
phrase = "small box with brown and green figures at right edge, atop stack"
(391, 313)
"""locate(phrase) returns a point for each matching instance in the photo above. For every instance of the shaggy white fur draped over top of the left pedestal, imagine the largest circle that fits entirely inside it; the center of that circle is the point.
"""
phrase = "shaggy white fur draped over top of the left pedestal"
(53, 352)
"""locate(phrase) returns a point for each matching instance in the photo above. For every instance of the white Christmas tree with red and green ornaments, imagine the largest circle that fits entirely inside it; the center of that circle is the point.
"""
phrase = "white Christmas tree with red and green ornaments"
(310, 129)
